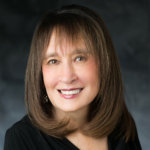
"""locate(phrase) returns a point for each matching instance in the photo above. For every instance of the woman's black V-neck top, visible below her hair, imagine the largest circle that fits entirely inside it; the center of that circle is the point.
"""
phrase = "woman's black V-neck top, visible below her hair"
(24, 136)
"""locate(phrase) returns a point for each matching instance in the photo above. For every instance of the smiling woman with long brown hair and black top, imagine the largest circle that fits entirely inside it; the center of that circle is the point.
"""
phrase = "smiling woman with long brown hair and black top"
(73, 91)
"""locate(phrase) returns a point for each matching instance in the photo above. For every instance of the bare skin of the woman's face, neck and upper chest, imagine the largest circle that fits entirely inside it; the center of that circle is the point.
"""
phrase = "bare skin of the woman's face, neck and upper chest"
(69, 66)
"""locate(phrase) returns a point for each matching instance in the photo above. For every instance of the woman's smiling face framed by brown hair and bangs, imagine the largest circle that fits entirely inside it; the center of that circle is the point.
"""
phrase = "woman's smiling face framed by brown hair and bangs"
(70, 75)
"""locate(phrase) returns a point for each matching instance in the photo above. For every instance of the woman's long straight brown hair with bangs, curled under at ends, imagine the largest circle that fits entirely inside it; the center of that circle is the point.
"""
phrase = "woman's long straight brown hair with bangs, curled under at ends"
(108, 113)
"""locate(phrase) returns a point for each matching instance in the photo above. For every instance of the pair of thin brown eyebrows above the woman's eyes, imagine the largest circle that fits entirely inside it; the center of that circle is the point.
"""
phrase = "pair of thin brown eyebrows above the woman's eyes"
(76, 51)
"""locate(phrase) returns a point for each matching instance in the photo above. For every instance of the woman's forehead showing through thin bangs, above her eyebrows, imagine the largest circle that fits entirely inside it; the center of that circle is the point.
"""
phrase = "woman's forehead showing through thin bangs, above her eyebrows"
(63, 44)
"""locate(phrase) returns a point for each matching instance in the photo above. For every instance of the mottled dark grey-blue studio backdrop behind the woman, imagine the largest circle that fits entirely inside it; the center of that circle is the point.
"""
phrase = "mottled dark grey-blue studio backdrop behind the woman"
(129, 24)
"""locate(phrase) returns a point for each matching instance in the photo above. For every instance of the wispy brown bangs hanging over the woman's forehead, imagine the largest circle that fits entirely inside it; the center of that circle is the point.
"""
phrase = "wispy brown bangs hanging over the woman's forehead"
(72, 32)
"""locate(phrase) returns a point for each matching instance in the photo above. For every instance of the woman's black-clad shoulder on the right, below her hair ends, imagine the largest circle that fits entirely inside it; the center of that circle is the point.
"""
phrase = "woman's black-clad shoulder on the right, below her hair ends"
(118, 140)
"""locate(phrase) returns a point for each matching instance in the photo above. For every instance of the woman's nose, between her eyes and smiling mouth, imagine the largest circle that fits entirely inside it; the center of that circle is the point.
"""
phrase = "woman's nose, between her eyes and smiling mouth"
(67, 74)
